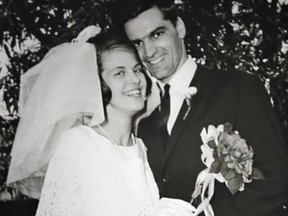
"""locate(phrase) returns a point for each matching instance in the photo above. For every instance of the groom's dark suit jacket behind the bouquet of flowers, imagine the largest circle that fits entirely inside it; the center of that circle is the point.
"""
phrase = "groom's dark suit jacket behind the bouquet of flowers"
(242, 100)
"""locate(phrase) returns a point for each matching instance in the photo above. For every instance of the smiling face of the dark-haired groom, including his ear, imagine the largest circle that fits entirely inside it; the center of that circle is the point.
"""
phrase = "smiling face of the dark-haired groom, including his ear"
(159, 42)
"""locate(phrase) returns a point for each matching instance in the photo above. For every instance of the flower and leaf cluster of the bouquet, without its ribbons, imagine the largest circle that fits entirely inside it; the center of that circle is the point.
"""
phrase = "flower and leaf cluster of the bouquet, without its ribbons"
(228, 155)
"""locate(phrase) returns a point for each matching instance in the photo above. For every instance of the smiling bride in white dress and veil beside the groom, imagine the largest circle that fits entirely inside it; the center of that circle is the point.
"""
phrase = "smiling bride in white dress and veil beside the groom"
(75, 148)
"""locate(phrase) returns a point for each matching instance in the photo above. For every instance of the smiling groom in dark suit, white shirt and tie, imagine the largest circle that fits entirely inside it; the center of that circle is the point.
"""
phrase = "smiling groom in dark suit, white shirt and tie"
(235, 97)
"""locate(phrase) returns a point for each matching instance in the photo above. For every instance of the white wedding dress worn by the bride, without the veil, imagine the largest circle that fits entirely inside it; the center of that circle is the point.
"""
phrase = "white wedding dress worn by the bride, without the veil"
(89, 175)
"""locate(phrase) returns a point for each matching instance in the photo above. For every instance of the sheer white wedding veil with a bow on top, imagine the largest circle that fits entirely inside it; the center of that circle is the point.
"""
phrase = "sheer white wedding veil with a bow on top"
(54, 95)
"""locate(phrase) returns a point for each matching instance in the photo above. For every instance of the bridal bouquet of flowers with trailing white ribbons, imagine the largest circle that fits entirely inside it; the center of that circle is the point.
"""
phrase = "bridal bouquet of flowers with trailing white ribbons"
(228, 159)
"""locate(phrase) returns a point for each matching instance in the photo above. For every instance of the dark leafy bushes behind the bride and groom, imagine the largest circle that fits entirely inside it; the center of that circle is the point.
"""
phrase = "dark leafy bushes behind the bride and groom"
(244, 34)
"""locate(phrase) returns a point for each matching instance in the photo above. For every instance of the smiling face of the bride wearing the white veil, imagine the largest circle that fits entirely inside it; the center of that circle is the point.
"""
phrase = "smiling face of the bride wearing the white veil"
(124, 76)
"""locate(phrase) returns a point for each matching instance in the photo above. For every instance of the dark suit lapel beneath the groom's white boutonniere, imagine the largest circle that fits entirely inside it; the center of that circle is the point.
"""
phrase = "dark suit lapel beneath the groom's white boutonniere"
(181, 123)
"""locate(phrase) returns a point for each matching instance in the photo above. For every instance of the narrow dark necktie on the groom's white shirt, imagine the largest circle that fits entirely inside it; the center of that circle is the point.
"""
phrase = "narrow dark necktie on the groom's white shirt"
(164, 115)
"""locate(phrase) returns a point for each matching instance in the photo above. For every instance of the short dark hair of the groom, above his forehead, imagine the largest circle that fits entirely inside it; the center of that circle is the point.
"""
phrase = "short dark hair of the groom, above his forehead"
(125, 10)
